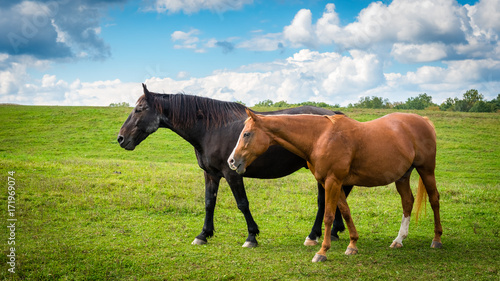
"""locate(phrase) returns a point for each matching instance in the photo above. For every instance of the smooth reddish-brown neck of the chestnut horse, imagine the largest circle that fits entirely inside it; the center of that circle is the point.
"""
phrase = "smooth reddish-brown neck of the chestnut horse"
(297, 133)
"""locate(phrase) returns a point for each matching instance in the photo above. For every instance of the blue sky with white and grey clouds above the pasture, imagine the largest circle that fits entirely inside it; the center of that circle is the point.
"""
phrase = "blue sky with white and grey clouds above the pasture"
(94, 52)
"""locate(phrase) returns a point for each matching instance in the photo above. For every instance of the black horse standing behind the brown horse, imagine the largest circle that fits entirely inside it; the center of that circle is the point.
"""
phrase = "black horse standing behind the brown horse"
(212, 127)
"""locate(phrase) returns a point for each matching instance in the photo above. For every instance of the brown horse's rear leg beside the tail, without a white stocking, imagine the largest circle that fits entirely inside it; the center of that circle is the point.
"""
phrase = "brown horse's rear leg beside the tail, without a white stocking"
(429, 180)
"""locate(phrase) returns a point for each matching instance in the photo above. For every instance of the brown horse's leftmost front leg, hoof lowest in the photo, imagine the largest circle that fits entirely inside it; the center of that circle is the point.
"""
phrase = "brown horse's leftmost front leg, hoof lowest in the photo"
(333, 188)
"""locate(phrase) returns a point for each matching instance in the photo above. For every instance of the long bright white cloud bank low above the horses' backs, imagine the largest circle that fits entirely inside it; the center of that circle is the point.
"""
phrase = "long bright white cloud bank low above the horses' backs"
(307, 75)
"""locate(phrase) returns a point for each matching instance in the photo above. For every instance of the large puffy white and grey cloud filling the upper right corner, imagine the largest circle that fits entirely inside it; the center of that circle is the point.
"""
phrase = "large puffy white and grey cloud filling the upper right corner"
(410, 31)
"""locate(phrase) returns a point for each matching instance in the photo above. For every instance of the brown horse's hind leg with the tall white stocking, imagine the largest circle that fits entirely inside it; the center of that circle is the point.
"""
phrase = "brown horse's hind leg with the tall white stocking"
(404, 190)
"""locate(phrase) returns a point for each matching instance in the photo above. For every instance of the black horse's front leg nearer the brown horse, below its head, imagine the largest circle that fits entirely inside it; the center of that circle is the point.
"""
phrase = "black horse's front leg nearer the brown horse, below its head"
(235, 181)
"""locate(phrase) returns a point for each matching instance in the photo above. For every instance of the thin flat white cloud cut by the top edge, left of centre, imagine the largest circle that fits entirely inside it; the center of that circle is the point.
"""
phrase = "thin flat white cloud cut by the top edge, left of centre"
(194, 6)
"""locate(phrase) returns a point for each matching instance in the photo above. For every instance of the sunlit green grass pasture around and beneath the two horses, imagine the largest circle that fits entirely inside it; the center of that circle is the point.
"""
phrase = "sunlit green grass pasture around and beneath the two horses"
(89, 210)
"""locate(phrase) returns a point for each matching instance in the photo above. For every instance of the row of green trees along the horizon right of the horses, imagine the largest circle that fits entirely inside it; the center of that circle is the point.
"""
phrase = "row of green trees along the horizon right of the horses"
(471, 101)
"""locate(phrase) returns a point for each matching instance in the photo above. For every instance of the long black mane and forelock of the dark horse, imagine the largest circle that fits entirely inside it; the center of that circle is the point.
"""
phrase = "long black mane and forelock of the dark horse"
(185, 110)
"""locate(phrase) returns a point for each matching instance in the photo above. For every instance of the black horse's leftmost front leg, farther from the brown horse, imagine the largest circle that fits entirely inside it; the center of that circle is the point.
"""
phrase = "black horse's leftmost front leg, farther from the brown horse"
(211, 188)
